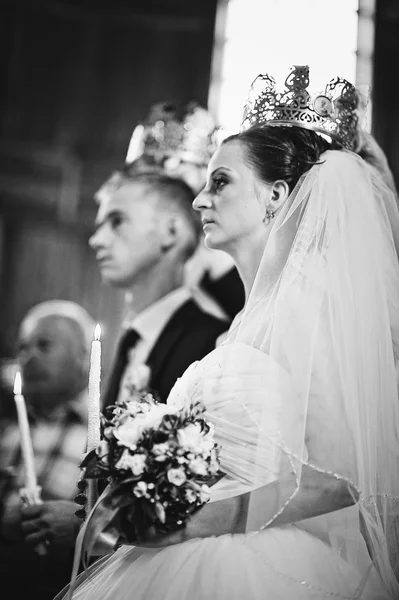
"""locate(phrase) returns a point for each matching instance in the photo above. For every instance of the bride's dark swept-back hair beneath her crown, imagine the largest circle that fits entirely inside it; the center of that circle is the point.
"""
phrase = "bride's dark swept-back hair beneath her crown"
(284, 153)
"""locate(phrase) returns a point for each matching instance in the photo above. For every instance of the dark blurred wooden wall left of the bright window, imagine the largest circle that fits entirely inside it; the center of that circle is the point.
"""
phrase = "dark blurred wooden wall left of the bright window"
(77, 75)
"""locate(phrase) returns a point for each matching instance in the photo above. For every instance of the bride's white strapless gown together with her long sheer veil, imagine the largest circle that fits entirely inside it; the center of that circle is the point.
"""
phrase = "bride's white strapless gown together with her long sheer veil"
(306, 376)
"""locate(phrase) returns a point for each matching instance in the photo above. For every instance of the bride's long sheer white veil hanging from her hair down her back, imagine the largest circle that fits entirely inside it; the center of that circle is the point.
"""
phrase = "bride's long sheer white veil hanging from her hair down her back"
(319, 340)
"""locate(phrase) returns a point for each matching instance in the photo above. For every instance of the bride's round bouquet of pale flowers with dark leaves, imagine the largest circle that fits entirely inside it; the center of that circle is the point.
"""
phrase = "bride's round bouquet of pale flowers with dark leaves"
(158, 460)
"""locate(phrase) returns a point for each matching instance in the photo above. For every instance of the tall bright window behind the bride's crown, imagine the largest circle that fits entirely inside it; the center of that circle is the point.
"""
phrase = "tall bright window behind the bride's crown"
(258, 36)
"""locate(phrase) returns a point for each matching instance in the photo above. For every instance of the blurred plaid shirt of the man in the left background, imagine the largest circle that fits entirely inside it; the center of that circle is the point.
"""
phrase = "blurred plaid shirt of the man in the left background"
(58, 446)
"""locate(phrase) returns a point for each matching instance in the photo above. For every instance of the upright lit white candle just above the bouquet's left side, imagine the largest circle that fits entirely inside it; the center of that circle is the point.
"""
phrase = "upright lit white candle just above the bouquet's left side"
(93, 426)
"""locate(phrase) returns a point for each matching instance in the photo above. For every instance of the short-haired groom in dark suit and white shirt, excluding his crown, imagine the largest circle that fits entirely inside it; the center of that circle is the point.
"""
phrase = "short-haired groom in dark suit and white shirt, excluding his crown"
(146, 231)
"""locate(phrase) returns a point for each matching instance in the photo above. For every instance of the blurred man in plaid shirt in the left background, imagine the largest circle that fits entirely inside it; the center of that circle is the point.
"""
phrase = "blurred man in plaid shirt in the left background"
(53, 355)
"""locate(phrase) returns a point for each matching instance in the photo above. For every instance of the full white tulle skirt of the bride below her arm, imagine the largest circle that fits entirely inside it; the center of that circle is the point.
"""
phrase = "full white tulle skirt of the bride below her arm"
(276, 564)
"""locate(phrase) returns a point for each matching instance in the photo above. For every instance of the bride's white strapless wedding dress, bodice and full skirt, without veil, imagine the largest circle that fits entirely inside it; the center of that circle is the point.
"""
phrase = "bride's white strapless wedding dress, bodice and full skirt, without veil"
(278, 563)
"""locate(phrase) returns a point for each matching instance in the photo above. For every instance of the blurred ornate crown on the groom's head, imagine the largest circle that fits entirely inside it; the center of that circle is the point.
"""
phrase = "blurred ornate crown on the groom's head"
(166, 135)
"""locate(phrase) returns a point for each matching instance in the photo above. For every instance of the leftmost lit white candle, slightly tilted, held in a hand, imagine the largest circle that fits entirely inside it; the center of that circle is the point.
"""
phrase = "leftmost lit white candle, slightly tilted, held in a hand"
(26, 440)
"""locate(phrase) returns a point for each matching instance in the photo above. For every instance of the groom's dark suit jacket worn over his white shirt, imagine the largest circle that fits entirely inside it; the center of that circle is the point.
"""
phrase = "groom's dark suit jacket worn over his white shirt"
(188, 336)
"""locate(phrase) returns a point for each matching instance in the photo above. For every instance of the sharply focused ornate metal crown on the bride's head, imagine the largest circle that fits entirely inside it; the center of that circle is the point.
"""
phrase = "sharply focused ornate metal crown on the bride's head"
(332, 112)
